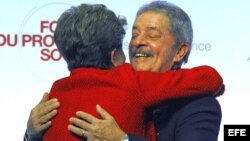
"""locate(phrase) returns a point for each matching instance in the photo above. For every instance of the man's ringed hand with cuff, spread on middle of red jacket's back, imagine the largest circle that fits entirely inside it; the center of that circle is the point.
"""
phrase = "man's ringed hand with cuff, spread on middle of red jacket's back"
(99, 129)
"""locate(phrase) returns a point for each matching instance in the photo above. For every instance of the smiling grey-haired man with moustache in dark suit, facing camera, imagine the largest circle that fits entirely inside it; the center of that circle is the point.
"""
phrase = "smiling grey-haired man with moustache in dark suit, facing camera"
(162, 32)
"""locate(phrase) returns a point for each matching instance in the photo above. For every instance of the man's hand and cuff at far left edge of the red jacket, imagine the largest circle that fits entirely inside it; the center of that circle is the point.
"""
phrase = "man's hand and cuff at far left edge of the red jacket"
(40, 116)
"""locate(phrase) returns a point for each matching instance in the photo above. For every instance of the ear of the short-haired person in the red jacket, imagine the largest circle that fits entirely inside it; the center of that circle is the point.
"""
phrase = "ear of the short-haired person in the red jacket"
(117, 57)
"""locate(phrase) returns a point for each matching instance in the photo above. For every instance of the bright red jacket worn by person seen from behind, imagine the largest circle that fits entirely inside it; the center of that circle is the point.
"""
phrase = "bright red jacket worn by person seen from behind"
(124, 93)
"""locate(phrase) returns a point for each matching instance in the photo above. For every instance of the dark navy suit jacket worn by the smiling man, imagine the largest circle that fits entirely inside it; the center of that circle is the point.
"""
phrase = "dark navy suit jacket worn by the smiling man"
(187, 119)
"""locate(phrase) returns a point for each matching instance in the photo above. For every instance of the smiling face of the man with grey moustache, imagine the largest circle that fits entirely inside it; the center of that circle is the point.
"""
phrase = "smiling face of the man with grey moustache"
(151, 45)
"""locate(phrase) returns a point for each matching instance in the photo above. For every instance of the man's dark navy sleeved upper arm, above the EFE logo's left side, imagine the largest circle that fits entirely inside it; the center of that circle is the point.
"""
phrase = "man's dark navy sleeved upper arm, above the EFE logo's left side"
(203, 123)
